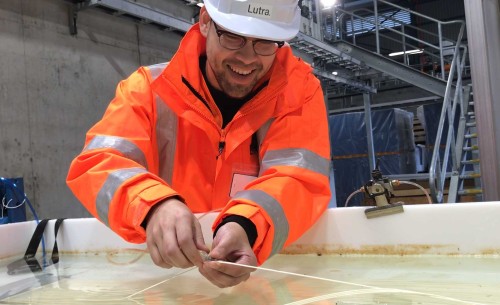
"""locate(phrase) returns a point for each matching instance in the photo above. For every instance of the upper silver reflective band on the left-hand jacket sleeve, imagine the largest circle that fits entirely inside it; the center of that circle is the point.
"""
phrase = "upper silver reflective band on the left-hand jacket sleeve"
(124, 146)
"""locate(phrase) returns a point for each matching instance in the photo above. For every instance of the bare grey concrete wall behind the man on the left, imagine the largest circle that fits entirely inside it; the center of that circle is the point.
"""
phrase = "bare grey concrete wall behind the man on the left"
(55, 86)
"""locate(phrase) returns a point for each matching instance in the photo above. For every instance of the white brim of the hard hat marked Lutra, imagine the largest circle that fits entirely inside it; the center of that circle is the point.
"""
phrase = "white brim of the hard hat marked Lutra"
(255, 27)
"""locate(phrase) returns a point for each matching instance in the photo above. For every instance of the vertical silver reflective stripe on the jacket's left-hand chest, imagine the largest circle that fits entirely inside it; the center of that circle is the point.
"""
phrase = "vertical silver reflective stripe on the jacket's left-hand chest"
(166, 133)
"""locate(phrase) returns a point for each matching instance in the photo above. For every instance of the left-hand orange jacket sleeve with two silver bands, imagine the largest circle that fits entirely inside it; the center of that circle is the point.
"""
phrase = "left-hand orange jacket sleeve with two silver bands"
(116, 175)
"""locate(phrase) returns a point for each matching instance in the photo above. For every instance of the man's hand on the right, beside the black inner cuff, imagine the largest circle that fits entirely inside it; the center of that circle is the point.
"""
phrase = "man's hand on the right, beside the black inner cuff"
(230, 244)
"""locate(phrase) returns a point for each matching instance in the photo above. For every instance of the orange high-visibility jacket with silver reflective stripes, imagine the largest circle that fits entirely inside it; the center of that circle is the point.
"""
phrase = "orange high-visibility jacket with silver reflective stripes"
(161, 136)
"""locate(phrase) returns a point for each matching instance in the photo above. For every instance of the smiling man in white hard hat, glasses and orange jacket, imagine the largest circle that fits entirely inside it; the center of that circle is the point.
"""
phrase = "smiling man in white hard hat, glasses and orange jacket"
(233, 122)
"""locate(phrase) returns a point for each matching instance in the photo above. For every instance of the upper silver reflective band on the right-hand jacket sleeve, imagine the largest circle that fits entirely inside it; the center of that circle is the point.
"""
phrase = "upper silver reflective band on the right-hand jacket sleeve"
(303, 158)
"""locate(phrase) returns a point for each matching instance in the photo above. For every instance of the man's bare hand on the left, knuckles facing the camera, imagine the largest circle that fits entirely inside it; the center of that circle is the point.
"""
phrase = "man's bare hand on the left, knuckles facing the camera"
(174, 236)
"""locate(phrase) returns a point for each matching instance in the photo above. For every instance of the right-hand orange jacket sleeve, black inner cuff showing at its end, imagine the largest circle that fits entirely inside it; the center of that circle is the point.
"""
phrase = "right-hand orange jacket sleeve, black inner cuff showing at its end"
(292, 190)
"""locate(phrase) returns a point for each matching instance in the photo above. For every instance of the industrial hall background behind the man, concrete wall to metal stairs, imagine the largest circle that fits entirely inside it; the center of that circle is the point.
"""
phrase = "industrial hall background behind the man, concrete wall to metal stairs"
(398, 77)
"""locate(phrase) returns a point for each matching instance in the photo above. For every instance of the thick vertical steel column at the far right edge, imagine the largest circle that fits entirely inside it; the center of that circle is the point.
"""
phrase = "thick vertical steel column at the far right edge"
(483, 29)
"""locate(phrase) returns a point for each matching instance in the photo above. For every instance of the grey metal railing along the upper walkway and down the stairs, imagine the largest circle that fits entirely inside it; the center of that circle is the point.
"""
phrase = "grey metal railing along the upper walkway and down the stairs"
(454, 104)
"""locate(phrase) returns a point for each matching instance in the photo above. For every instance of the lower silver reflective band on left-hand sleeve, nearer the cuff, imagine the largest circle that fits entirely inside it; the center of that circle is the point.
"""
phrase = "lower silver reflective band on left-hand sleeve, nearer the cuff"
(108, 190)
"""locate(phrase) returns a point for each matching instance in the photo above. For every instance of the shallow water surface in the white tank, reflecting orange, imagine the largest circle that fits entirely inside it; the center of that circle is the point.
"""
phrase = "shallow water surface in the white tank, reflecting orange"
(131, 278)
